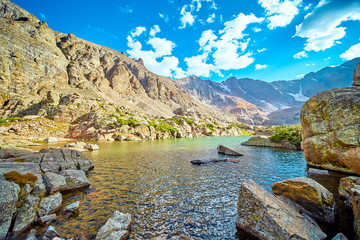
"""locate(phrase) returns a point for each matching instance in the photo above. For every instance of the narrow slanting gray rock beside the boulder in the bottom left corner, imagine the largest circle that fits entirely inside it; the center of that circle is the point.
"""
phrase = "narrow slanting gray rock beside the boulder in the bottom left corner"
(26, 215)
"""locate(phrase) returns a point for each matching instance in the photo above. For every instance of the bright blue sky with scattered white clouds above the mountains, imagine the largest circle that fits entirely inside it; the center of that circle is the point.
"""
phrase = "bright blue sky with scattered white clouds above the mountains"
(215, 39)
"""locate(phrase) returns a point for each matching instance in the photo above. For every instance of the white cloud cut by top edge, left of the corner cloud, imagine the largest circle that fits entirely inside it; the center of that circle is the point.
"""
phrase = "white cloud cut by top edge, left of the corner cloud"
(280, 13)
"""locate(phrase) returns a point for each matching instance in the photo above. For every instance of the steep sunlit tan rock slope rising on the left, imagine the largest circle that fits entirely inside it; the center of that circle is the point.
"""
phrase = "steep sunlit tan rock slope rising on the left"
(64, 77)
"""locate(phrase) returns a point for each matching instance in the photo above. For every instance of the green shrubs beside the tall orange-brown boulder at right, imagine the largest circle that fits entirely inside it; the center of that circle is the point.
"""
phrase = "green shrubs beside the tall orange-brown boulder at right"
(292, 134)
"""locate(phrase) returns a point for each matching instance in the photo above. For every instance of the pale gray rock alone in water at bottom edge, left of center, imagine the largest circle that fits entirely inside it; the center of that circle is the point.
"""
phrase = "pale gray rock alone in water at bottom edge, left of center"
(116, 228)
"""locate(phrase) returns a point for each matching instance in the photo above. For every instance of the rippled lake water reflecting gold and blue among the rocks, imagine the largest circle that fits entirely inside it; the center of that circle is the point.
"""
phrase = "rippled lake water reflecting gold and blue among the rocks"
(166, 195)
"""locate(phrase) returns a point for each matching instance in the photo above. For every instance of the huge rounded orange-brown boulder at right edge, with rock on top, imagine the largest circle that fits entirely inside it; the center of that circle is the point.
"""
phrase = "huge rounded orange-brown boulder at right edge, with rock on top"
(331, 128)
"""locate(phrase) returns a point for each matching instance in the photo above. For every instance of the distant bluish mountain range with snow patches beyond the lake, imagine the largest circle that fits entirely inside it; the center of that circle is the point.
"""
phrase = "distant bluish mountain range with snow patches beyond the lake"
(259, 102)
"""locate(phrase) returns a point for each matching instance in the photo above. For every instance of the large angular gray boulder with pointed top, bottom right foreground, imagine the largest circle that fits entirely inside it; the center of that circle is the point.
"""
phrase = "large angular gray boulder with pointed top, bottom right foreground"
(266, 216)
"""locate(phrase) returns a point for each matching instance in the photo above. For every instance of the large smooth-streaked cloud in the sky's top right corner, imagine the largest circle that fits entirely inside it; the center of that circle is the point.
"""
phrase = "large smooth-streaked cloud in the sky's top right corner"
(321, 27)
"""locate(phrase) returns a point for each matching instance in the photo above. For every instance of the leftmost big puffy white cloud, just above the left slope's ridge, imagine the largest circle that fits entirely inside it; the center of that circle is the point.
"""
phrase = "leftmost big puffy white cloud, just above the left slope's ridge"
(158, 60)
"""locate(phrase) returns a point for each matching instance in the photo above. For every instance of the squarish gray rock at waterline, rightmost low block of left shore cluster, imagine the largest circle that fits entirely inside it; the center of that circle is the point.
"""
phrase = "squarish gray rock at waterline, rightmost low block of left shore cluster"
(75, 179)
